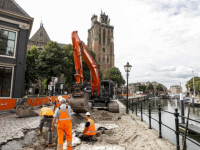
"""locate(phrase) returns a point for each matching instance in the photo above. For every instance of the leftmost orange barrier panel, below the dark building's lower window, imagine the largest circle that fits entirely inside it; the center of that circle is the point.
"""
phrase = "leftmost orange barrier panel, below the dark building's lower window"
(6, 104)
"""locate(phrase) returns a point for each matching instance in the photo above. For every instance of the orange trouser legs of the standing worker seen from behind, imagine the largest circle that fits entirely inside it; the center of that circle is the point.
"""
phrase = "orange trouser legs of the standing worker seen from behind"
(67, 129)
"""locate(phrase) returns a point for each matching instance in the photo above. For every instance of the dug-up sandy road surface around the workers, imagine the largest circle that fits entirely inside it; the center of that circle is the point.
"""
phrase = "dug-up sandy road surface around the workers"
(125, 132)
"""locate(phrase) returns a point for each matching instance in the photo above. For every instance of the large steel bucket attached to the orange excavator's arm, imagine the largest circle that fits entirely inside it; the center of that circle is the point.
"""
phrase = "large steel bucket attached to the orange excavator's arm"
(79, 104)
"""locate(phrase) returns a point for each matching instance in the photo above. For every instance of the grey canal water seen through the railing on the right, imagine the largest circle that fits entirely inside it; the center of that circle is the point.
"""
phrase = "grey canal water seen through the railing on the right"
(169, 119)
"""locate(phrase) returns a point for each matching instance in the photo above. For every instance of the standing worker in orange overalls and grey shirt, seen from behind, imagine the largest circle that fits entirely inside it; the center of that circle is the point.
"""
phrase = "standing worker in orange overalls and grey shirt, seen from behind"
(64, 124)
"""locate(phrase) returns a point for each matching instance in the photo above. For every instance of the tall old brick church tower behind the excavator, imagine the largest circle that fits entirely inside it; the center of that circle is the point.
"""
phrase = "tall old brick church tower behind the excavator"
(100, 40)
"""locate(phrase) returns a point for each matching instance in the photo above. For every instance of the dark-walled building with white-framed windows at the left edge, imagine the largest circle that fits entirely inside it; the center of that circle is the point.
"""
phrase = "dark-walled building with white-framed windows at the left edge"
(15, 28)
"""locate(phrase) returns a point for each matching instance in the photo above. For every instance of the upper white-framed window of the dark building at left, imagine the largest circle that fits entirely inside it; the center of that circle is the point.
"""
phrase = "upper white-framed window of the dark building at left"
(7, 42)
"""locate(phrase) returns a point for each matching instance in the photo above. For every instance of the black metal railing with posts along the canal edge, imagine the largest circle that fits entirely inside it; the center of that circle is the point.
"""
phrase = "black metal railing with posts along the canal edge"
(139, 107)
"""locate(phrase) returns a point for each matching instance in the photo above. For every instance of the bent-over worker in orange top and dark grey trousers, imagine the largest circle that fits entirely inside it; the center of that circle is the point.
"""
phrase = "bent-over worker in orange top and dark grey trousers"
(47, 116)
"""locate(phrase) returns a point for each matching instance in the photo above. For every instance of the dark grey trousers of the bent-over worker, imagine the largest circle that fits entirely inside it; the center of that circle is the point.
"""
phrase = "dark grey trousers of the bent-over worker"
(49, 122)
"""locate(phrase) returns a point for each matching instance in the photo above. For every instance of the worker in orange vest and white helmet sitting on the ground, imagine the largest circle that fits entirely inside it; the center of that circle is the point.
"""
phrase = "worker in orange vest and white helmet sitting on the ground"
(89, 130)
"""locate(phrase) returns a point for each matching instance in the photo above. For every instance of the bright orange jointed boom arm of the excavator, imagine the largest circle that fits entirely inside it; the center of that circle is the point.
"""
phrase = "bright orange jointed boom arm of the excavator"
(80, 51)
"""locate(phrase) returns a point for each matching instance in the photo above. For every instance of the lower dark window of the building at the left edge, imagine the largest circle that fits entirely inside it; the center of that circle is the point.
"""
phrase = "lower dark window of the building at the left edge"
(5, 81)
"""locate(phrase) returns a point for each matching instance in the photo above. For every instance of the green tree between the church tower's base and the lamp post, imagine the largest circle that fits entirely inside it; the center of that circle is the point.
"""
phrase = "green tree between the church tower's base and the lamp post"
(114, 74)
